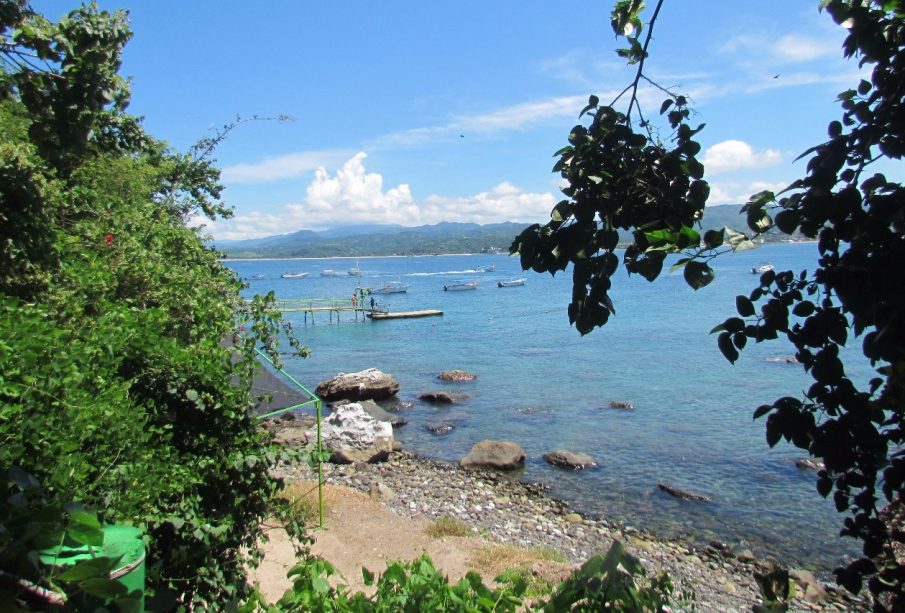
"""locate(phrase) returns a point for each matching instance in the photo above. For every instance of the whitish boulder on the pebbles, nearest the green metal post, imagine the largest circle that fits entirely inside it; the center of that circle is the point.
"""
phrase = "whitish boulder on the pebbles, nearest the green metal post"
(354, 436)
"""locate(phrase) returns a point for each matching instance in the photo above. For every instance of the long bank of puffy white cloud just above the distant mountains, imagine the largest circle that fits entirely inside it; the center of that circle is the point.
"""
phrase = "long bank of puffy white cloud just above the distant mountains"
(353, 195)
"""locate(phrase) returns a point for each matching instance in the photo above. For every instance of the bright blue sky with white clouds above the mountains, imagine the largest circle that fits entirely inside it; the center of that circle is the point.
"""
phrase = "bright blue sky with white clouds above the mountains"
(419, 112)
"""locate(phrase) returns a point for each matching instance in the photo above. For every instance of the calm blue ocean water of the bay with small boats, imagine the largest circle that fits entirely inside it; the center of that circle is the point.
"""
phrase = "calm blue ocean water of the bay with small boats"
(545, 387)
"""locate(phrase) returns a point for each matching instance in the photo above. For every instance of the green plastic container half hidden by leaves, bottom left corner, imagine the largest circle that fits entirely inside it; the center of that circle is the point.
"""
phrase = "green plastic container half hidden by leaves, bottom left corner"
(124, 541)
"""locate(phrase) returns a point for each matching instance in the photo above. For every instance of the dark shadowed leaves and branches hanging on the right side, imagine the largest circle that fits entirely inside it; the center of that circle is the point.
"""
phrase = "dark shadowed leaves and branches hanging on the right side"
(621, 175)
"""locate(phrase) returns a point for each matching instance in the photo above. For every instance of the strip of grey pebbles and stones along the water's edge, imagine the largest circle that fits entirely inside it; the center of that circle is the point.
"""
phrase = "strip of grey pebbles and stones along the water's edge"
(512, 511)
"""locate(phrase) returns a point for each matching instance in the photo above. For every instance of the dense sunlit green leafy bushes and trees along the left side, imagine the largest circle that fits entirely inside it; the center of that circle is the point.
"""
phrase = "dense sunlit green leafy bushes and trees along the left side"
(126, 380)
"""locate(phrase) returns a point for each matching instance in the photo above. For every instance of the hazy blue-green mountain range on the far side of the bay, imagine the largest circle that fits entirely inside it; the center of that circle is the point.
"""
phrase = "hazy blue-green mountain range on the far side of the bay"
(446, 237)
